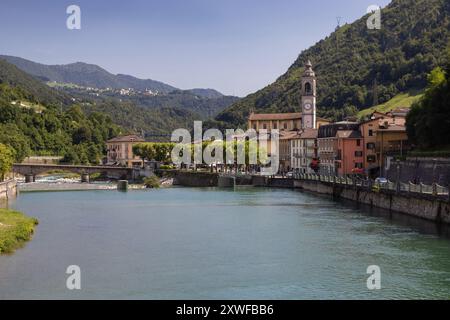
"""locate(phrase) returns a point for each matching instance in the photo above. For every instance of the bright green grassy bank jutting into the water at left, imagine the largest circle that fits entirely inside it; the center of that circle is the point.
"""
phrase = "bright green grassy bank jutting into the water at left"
(15, 229)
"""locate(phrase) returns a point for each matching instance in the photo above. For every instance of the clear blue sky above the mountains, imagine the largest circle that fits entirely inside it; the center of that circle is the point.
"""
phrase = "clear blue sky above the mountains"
(234, 46)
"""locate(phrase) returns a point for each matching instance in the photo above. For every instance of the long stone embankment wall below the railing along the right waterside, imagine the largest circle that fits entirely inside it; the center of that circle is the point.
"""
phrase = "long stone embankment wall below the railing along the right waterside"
(419, 205)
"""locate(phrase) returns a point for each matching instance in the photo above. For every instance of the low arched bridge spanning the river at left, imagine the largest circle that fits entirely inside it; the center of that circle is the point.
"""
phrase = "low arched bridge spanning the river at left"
(30, 171)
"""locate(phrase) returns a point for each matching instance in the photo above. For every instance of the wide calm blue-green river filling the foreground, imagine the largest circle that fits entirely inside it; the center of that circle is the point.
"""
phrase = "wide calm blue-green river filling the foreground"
(247, 243)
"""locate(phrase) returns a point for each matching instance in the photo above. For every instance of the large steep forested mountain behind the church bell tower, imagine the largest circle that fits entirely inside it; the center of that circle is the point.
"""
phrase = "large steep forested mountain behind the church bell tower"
(354, 62)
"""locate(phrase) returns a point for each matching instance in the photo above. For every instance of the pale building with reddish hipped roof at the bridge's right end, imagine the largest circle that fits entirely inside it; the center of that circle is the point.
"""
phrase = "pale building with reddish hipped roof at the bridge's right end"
(120, 151)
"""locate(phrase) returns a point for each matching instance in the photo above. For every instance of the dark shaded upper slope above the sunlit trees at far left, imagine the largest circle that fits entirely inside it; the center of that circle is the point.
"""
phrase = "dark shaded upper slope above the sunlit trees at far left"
(30, 88)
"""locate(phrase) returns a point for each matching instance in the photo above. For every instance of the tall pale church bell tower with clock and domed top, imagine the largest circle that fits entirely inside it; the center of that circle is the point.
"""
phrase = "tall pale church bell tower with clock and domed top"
(308, 93)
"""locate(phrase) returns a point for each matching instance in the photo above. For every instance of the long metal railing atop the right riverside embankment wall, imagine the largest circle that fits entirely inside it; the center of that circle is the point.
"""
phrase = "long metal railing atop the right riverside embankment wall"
(433, 189)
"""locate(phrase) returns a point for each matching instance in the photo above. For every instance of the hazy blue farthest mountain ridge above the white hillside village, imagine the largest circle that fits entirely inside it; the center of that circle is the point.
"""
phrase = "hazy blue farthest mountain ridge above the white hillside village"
(86, 75)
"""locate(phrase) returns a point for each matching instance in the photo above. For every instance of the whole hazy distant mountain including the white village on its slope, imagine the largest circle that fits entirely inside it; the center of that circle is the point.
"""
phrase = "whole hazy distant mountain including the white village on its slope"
(77, 78)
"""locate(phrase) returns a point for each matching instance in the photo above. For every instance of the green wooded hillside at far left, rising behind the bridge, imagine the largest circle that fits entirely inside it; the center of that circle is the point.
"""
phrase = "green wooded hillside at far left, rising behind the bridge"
(33, 121)
